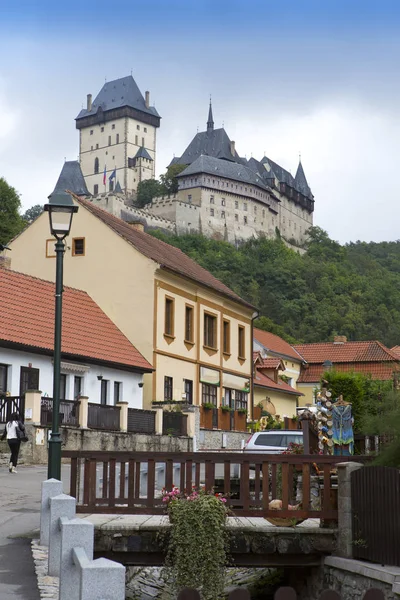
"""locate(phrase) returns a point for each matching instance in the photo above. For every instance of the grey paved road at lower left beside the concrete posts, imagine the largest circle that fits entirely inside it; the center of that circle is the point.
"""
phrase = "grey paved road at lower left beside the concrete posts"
(19, 523)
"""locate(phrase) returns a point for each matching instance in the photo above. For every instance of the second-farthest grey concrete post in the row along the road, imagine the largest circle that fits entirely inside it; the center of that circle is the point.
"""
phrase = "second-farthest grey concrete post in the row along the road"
(60, 506)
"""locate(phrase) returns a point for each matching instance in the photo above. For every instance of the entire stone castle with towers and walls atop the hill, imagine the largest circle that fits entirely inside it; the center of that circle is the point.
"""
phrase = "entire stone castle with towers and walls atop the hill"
(221, 195)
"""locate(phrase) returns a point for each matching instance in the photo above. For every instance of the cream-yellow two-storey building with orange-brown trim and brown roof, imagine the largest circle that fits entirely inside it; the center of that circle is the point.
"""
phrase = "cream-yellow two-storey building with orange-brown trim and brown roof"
(193, 329)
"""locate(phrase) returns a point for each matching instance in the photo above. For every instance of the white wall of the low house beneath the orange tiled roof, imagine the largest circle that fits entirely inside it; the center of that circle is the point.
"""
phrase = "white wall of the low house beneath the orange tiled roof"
(131, 392)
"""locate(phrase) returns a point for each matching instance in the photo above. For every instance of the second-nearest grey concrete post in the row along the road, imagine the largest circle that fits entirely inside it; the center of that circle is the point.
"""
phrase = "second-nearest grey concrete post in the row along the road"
(74, 533)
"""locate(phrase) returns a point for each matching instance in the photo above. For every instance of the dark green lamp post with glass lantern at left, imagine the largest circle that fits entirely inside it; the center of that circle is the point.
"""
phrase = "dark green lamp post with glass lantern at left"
(60, 208)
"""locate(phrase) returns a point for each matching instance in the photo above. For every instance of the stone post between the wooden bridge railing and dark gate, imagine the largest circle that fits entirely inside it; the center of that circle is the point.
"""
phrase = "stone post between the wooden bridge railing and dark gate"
(345, 529)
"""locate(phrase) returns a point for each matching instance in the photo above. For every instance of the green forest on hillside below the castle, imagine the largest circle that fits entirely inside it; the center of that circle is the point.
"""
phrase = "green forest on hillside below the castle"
(351, 290)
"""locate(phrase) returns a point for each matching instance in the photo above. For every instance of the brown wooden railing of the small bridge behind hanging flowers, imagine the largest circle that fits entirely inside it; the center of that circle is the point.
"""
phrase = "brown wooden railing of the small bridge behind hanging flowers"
(131, 483)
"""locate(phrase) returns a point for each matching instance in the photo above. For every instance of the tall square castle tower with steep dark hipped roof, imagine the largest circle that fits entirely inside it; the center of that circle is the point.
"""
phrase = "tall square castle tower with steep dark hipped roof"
(117, 132)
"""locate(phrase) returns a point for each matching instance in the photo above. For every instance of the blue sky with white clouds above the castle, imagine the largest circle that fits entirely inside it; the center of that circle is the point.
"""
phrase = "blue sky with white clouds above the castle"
(316, 77)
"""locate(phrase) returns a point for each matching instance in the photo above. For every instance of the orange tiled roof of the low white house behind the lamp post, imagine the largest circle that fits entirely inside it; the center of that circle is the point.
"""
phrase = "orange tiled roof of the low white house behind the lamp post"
(27, 319)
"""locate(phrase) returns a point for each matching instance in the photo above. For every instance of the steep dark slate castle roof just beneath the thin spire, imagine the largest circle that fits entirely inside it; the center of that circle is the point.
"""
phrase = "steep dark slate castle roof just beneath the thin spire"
(213, 142)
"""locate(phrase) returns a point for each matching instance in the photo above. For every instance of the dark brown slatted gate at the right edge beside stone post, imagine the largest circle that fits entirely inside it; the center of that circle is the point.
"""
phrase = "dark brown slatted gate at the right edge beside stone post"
(375, 498)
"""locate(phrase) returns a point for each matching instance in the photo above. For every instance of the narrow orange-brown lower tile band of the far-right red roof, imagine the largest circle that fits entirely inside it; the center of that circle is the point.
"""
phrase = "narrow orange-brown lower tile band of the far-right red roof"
(377, 370)
